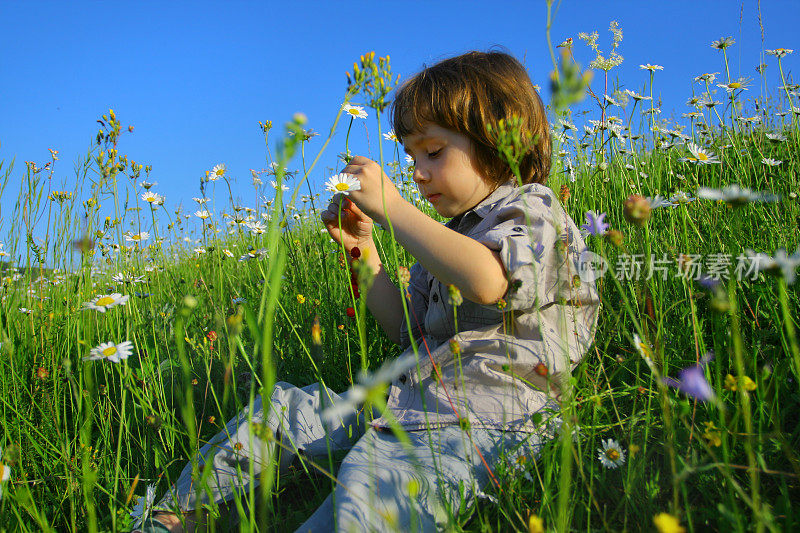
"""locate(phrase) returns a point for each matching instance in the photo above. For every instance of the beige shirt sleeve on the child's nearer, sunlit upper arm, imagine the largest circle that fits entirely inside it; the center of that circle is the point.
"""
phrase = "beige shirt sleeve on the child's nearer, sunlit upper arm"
(525, 232)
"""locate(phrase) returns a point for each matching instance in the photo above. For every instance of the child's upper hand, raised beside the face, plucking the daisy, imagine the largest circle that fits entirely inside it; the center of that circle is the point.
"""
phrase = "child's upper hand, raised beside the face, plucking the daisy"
(370, 197)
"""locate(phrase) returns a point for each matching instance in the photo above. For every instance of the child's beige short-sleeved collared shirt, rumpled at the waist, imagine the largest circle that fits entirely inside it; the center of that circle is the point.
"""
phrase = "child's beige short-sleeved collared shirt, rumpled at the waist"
(499, 364)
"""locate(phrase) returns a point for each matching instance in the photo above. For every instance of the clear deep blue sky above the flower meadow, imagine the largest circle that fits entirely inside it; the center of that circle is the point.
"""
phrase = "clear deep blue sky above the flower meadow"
(194, 78)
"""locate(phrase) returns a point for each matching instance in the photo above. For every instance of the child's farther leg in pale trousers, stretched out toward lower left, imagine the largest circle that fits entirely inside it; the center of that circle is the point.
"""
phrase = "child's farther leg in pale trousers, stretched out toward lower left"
(295, 423)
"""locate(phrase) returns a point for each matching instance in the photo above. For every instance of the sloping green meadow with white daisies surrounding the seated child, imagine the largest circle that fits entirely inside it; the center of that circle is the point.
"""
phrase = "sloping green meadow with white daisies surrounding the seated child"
(131, 331)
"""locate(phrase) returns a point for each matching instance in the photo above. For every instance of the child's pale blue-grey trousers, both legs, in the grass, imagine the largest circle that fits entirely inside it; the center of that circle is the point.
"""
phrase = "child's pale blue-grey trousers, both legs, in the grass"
(383, 484)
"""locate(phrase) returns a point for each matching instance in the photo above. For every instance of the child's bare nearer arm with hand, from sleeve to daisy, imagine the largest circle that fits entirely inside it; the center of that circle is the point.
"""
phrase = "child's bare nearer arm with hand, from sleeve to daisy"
(450, 257)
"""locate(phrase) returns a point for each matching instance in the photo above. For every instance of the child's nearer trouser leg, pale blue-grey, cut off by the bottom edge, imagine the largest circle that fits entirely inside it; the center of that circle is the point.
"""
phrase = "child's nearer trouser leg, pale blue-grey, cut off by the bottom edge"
(374, 493)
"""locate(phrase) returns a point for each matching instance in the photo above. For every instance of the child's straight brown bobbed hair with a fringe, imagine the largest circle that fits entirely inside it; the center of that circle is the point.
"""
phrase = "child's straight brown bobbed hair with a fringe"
(468, 92)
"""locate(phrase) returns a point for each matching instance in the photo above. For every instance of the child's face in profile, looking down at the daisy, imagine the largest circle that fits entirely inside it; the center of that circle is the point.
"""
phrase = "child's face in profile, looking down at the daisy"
(444, 171)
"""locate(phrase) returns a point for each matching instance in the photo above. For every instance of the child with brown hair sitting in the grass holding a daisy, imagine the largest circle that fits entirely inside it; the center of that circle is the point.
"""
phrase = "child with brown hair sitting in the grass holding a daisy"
(485, 364)
